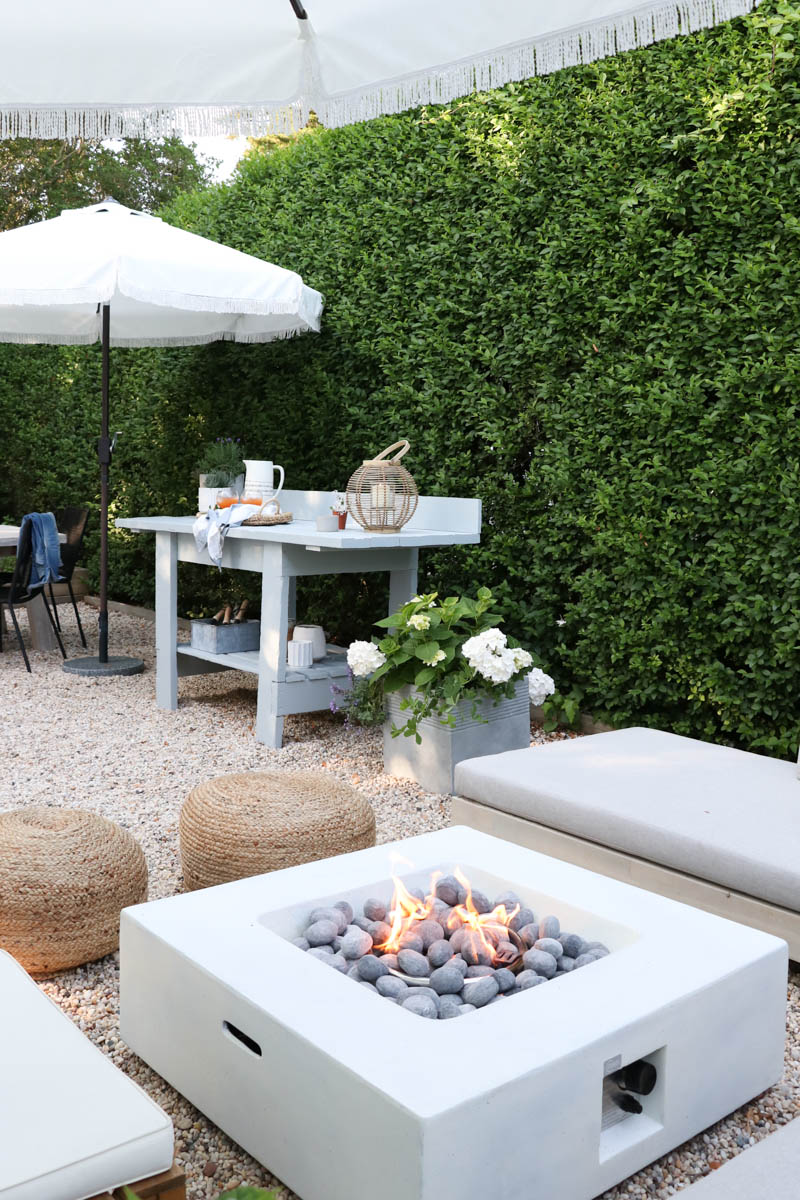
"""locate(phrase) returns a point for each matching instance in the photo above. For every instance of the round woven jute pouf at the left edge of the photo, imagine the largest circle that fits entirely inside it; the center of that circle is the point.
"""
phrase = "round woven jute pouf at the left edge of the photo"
(64, 878)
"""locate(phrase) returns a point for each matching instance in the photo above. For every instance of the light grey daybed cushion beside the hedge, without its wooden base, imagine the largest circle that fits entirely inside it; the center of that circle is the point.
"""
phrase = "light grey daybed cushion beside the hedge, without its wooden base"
(721, 815)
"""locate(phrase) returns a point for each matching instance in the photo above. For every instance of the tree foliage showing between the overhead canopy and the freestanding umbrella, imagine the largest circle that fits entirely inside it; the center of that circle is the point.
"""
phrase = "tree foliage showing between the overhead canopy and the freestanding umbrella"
(41, 178)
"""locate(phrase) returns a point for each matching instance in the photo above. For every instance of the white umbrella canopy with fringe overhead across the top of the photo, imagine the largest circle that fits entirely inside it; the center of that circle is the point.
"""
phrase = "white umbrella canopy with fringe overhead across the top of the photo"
(159, 68)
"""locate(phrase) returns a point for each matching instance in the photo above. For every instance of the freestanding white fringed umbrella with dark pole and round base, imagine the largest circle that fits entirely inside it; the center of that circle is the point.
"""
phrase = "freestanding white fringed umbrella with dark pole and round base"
(115, 275)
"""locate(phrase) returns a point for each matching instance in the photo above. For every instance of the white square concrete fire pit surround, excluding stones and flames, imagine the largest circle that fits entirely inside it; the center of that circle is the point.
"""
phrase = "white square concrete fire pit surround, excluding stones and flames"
(347, 1096)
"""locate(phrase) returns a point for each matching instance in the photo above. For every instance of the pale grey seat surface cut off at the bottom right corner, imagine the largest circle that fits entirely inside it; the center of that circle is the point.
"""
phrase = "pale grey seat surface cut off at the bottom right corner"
(771, 1169)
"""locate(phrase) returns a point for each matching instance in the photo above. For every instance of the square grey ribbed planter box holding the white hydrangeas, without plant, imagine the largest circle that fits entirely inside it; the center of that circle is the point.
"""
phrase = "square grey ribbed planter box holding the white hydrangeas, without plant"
(504, 727)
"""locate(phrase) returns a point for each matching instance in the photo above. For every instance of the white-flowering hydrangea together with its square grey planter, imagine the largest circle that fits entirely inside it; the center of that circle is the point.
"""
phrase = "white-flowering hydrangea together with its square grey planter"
(454, 686)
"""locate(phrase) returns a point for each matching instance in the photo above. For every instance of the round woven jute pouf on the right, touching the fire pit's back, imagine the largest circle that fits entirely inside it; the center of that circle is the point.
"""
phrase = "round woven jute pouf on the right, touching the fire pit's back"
(246, 825)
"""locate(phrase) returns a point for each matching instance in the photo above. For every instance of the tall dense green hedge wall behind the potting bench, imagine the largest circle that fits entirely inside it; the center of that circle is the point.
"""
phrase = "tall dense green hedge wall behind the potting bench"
(579, 298)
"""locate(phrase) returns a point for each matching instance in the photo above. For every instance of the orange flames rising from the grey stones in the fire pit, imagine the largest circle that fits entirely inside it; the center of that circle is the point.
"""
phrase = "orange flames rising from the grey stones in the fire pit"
(486, 931)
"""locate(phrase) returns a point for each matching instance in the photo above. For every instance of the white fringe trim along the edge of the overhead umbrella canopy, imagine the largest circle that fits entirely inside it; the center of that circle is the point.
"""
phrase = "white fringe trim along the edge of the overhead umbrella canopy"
(651, 23)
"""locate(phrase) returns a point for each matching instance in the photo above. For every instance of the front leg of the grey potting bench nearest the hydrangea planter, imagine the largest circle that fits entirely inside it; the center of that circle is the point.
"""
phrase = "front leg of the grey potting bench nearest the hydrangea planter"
(273, 652)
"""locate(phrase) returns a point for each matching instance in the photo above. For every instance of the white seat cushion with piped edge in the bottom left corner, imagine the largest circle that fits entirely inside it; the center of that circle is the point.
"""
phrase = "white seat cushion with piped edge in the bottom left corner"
(71, 1124)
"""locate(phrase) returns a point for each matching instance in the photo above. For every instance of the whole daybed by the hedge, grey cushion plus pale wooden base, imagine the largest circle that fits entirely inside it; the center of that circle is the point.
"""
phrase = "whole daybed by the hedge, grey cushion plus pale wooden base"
(713, 827)
